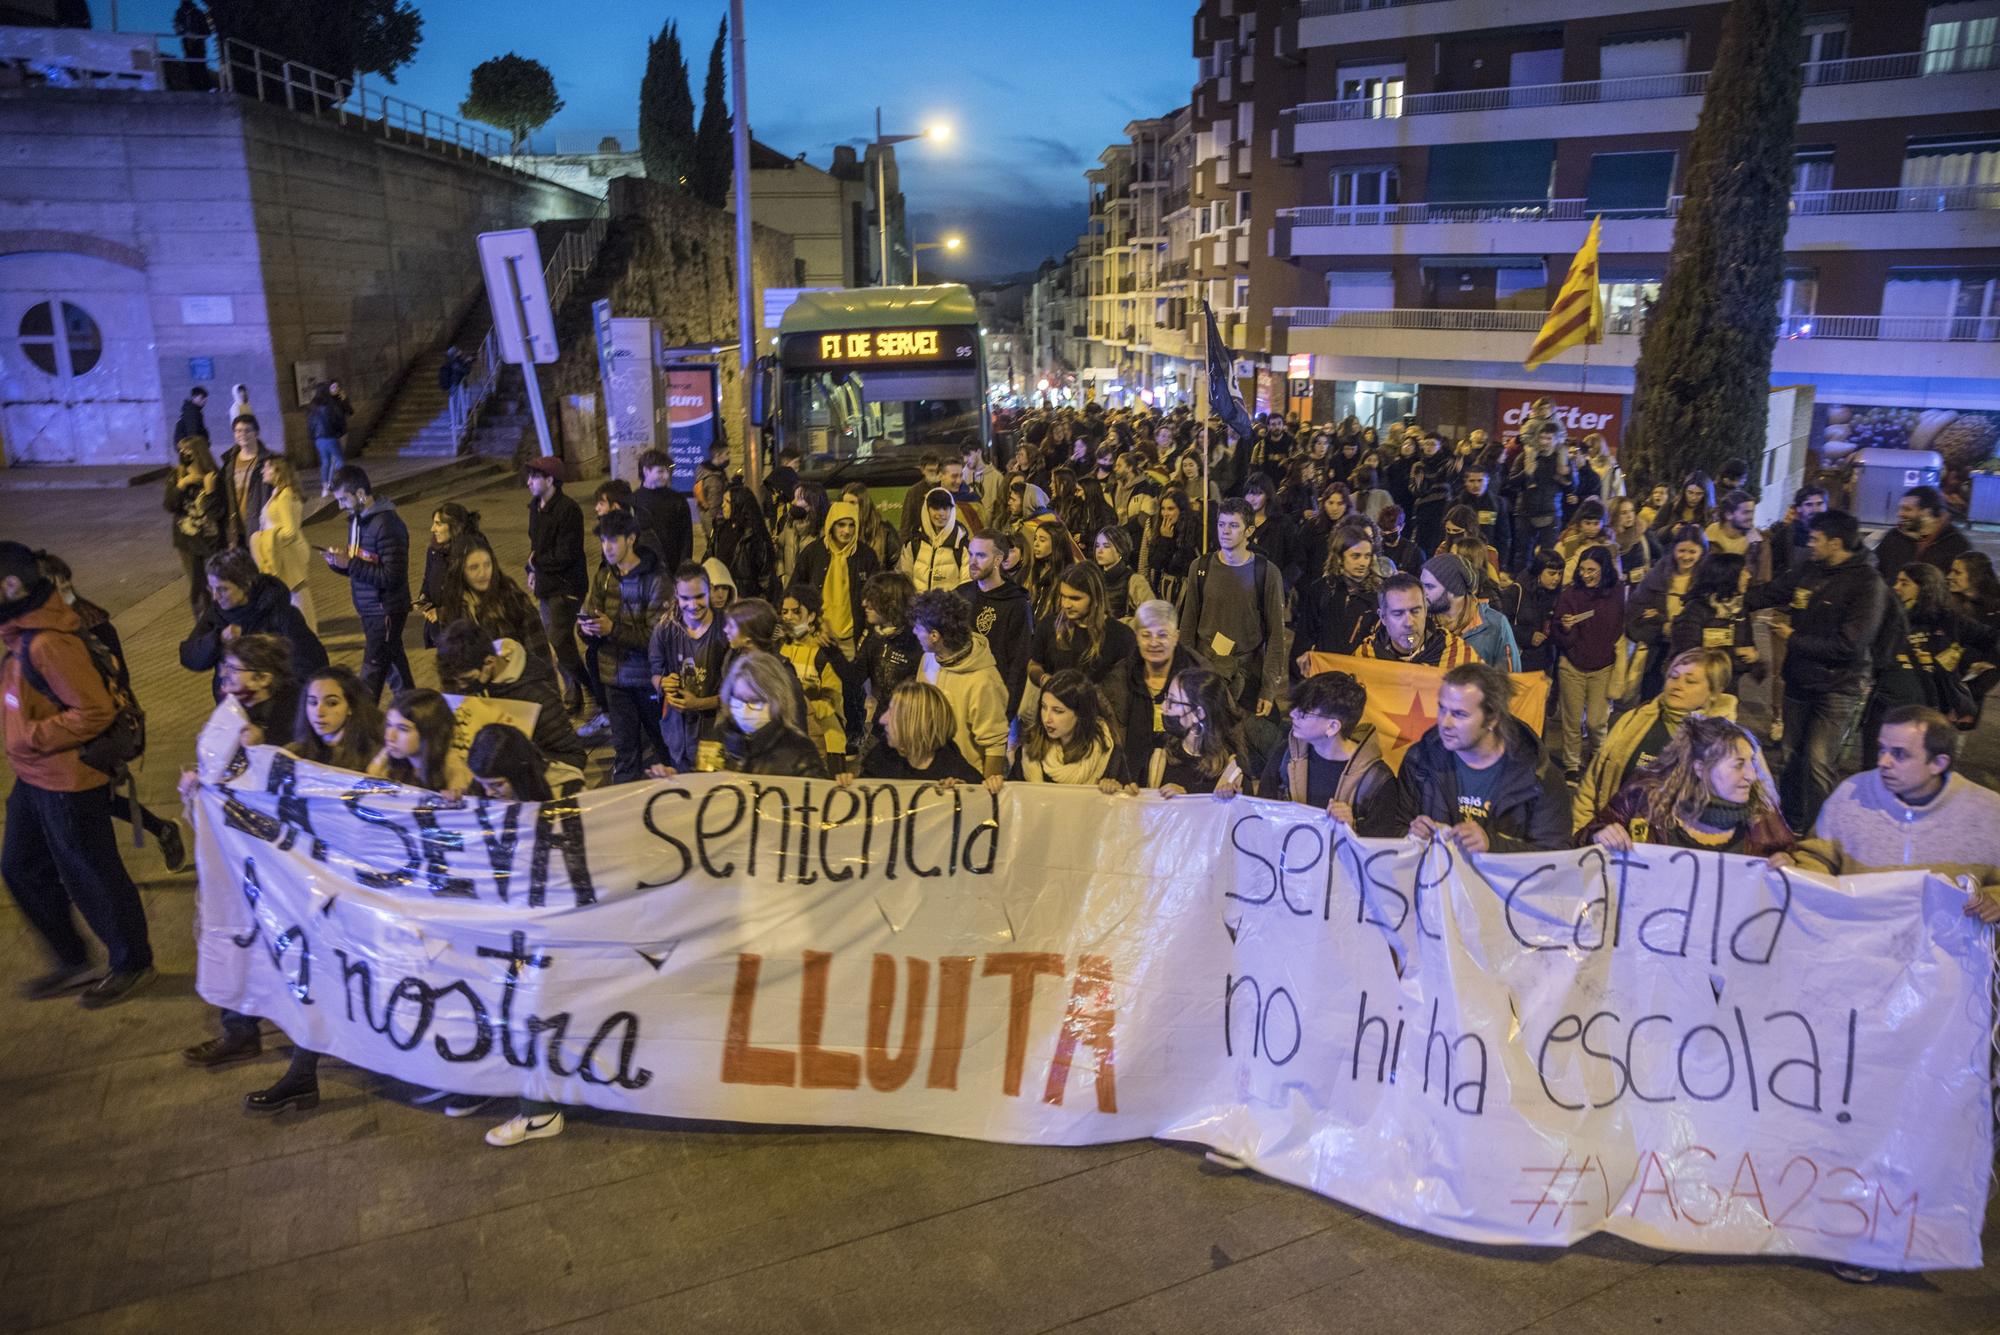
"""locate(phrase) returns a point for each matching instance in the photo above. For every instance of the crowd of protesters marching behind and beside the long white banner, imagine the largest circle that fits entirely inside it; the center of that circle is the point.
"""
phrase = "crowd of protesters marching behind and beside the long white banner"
(1111, 609)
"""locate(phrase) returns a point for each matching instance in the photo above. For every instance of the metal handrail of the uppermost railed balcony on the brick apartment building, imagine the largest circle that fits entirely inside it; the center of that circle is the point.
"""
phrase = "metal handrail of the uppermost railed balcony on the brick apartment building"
(1635, 89)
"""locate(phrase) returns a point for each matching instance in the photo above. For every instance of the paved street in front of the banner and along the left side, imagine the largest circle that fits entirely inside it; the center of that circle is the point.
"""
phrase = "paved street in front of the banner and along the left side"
(143, 1200)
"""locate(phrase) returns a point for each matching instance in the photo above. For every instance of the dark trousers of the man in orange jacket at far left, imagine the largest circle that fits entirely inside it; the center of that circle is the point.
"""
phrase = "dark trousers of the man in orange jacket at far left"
(61, 852)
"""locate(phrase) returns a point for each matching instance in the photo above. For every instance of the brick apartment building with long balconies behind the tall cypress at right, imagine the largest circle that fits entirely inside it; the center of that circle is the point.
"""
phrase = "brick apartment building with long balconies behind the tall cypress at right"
(1423, 185)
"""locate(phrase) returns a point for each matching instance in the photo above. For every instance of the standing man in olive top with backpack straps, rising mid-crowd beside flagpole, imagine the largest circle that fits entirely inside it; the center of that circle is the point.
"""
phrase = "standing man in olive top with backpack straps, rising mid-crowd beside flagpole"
(1233, 611)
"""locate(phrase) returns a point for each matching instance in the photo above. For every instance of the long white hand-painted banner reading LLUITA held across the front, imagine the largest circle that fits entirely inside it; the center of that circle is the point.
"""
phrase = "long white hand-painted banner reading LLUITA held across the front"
(1671, 1046)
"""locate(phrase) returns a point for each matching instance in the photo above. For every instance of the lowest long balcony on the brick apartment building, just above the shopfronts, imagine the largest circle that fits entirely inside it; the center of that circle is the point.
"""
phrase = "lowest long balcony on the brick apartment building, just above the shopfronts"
(1837, 353)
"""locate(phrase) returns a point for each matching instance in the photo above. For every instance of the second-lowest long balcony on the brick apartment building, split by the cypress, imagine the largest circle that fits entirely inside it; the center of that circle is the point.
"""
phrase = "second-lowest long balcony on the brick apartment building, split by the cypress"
(1909, 219)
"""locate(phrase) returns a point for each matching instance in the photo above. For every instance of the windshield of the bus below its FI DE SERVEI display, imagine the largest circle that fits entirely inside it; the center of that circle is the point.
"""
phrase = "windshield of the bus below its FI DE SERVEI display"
(877, 413)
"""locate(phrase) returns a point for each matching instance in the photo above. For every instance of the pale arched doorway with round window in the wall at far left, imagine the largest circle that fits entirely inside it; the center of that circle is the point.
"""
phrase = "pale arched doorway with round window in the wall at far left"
(79, 377)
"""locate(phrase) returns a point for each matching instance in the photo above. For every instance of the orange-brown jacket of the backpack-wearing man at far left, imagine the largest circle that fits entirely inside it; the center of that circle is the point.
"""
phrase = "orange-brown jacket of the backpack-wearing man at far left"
(45, 734)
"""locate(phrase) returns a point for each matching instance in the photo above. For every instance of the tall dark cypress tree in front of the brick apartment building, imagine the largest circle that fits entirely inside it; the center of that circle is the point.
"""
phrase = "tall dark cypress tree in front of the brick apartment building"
(1703, 379)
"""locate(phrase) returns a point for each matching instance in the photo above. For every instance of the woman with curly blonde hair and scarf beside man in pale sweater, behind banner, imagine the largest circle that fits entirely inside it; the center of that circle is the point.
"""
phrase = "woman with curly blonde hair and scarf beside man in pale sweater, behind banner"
(1709, 790)
